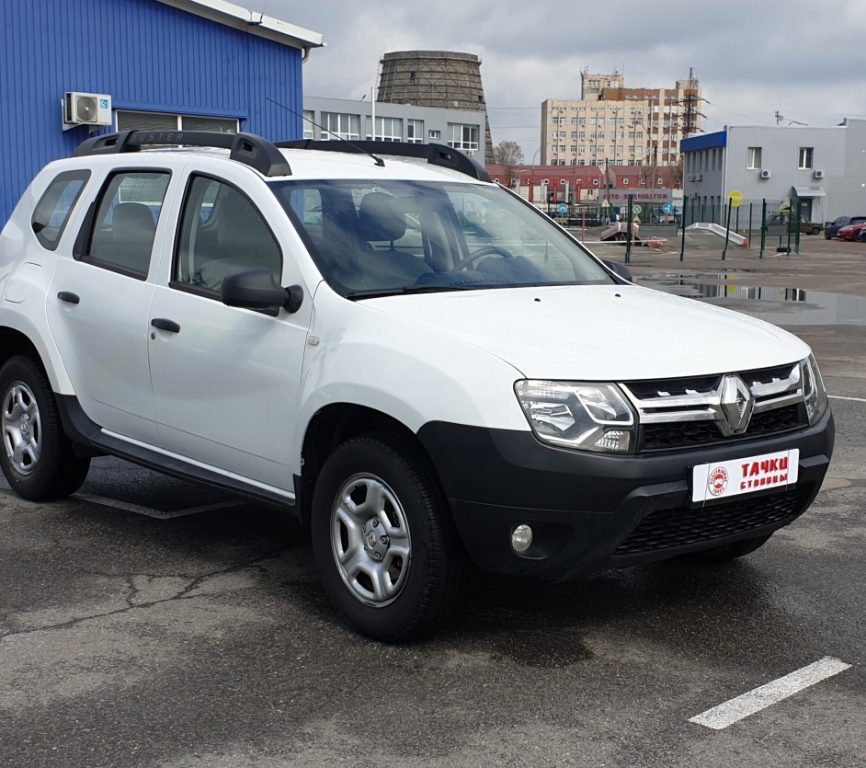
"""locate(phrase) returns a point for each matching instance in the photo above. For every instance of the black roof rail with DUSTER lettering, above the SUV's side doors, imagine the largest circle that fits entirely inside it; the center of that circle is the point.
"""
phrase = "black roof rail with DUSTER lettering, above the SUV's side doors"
(246, 148)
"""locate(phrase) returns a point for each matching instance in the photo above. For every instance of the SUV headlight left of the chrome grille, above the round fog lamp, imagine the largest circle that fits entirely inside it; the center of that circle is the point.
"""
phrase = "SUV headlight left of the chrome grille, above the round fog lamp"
(589, 417)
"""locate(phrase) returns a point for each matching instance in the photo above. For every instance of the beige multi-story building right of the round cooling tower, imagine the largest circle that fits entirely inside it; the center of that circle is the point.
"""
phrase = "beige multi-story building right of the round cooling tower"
(623, 126)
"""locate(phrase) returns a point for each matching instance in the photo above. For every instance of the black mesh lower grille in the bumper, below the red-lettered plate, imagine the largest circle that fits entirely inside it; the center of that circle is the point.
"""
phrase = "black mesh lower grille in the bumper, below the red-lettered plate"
(668, 529)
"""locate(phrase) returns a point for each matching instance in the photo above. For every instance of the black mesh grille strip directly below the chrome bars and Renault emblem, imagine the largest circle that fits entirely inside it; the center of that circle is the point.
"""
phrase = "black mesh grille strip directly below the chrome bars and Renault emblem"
(684, 434)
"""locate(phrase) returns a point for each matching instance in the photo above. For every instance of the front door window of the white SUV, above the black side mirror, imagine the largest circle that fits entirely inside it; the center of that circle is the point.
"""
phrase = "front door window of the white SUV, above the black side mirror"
(221, 233)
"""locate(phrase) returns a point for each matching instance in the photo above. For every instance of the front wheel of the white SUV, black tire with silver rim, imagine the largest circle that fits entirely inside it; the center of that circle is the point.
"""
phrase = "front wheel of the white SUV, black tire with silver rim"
(383, 542)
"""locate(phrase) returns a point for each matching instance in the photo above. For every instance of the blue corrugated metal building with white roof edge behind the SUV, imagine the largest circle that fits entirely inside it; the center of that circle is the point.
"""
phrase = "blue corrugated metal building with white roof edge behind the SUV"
(162, 60)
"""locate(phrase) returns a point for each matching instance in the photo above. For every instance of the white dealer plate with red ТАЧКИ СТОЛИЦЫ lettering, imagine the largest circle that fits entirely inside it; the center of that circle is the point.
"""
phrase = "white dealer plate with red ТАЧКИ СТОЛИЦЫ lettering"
(752, 473)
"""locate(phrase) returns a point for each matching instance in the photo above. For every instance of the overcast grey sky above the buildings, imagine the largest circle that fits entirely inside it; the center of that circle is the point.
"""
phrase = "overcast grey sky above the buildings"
(806, 59)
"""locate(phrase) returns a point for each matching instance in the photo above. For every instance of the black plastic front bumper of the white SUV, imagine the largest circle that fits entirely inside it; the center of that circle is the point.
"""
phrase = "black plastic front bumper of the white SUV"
(592, 511)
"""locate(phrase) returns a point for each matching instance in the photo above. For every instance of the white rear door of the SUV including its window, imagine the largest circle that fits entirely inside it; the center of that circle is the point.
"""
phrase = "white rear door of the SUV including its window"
(100, 297)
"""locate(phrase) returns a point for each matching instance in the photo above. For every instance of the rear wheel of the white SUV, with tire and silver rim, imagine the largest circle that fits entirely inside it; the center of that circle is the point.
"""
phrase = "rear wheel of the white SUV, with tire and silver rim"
(37, 458)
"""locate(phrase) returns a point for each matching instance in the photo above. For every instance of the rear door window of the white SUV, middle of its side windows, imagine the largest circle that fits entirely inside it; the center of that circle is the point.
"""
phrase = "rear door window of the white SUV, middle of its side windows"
(125, 222)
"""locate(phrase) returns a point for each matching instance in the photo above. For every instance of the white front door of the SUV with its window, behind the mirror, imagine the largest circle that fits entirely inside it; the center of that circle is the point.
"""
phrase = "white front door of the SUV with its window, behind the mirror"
(226, 380)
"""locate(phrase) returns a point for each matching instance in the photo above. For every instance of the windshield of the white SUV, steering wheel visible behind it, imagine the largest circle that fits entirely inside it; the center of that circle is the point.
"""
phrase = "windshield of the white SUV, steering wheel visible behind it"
(388, 237)
